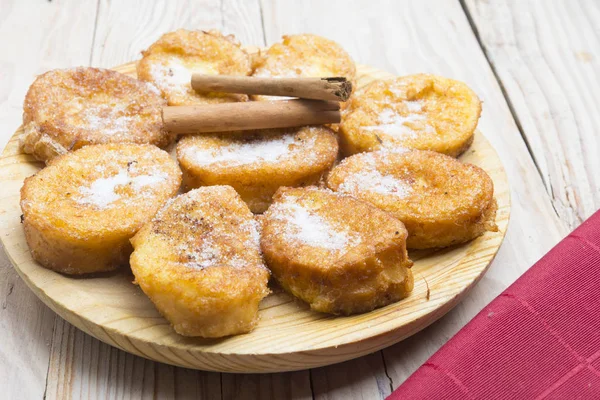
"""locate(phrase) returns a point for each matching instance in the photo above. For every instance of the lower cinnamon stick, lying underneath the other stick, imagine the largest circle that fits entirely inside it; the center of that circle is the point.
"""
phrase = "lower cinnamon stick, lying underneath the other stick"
(249, 115)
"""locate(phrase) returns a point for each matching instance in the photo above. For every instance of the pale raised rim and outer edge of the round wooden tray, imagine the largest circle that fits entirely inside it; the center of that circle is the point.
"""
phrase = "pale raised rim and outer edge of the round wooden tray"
(361, 344)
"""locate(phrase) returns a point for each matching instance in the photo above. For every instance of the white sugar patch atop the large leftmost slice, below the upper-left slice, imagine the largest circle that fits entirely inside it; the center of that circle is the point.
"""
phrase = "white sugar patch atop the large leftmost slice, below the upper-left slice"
(102, 192)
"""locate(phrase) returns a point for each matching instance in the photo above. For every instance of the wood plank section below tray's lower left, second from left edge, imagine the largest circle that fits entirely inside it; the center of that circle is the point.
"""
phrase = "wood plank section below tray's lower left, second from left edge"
(83, 367)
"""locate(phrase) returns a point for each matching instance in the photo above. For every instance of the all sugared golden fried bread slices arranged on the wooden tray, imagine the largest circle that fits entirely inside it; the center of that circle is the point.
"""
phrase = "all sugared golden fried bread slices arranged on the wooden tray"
(340, 207)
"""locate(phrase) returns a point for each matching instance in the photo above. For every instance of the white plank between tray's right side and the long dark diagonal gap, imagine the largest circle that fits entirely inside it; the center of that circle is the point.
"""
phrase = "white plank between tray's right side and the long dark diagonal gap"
(434, 36)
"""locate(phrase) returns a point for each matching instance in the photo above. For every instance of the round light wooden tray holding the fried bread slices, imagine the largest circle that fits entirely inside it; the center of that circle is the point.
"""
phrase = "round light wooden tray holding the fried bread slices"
(289, 335)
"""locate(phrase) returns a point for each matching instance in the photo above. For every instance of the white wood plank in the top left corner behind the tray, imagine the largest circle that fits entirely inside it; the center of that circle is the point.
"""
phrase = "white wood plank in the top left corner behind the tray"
(34, 34)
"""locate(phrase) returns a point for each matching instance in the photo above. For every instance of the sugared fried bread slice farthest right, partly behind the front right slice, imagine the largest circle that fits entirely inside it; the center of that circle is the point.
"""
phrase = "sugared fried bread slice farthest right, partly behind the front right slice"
(440, 200)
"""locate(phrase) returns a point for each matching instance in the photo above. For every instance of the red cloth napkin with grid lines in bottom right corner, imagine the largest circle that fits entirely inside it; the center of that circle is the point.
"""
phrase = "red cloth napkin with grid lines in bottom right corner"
(539, 339)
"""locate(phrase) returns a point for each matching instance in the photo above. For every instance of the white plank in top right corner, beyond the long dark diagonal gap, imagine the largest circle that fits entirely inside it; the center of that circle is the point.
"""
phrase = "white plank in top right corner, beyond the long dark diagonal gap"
(547, 55)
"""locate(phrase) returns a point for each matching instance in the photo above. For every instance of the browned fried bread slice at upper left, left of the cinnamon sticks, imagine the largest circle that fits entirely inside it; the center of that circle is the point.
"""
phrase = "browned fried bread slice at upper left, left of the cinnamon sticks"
(71, 108)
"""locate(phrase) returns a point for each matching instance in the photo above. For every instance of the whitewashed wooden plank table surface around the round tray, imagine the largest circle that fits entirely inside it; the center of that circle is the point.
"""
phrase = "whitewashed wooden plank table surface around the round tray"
(534, 63)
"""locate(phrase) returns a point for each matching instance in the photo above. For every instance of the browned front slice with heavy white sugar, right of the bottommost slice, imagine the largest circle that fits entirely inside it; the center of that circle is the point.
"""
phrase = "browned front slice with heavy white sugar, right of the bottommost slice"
(339, 254)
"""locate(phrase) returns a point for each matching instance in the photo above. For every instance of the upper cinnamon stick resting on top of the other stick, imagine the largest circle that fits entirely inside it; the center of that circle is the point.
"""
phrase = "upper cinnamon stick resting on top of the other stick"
(336, 88)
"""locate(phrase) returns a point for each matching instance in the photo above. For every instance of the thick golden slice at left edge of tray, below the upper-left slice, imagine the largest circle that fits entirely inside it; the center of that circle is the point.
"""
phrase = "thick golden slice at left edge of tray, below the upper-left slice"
(81, 210)
